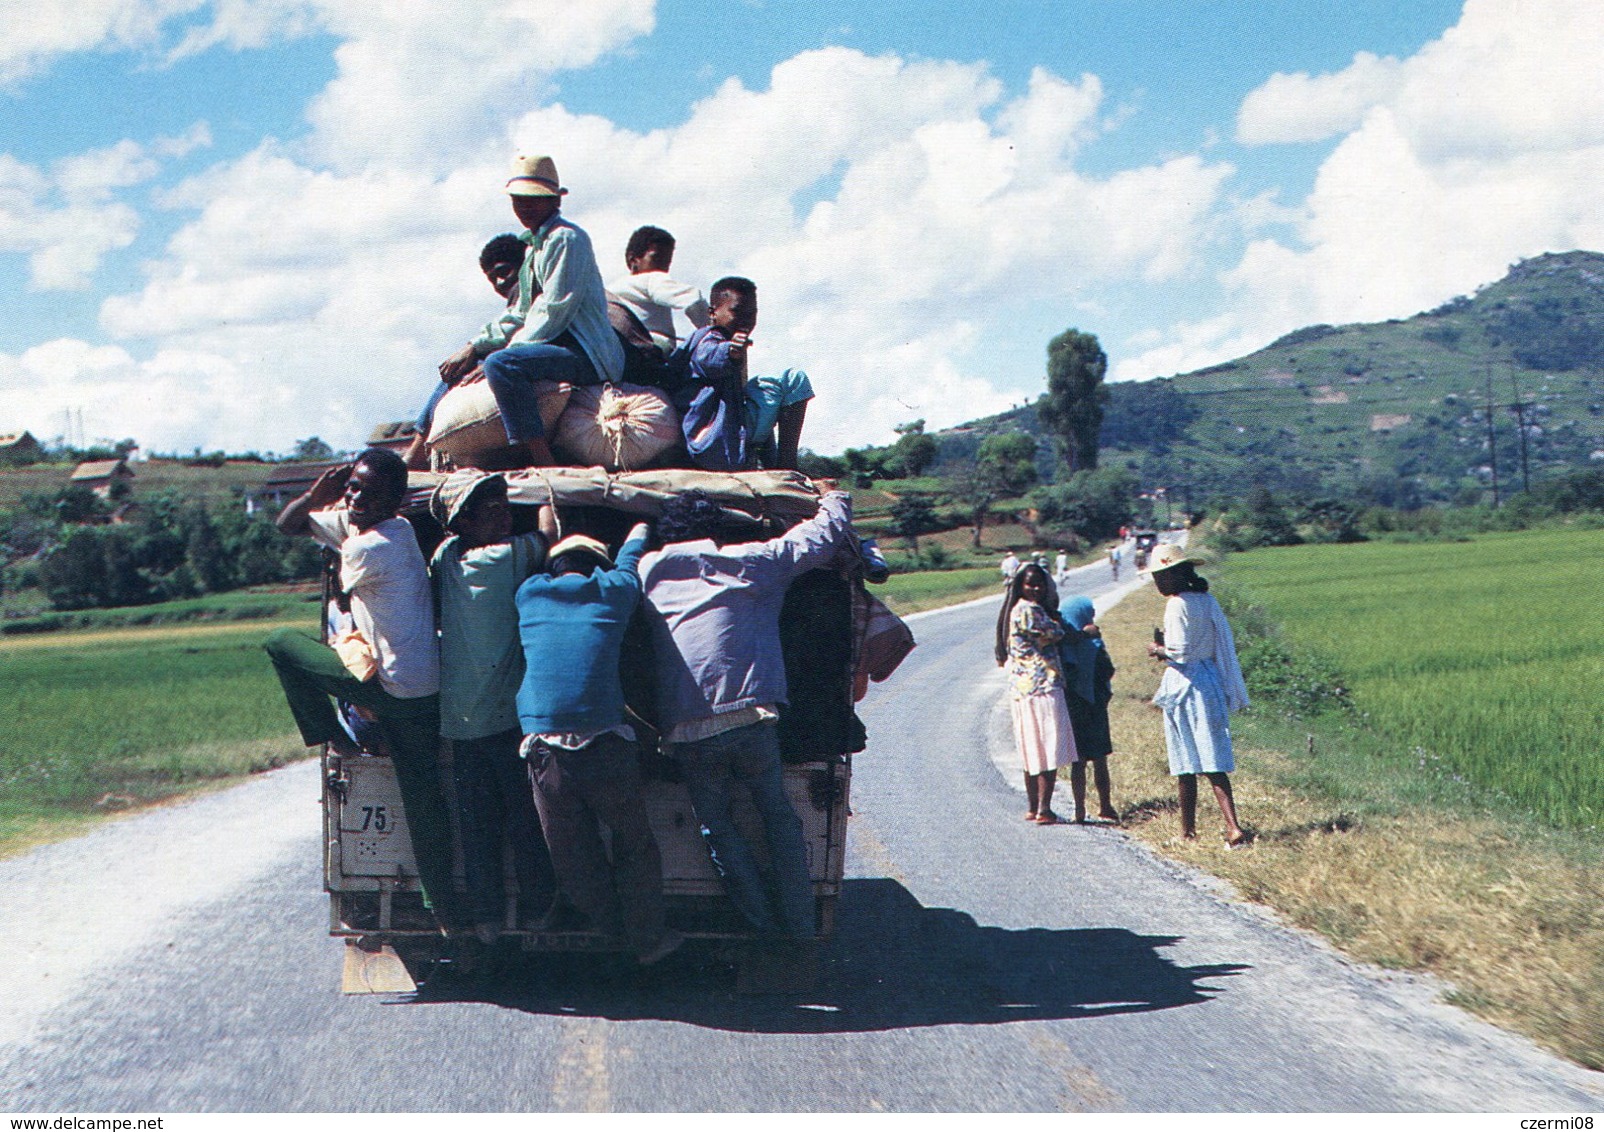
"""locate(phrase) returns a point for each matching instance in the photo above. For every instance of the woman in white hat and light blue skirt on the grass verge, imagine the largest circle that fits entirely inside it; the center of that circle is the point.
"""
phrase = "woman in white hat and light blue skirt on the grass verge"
(1202, 685)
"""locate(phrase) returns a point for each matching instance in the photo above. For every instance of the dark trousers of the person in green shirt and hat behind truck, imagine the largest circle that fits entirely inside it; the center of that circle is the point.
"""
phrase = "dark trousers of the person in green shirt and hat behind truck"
(493, 804)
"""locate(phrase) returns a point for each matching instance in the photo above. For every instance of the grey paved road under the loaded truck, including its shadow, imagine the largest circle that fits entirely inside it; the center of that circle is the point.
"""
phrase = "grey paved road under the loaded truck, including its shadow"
(179, 963)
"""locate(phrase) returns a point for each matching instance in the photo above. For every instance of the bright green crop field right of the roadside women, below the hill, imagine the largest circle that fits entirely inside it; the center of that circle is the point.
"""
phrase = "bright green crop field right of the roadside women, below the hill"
(1485, 657)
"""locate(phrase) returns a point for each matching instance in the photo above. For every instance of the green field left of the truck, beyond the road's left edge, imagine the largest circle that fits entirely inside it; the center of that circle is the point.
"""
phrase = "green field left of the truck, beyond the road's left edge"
(105, 719)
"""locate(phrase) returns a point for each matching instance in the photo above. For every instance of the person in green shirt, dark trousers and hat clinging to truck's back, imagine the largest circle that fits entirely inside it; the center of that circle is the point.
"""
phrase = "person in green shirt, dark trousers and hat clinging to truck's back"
(477, 573)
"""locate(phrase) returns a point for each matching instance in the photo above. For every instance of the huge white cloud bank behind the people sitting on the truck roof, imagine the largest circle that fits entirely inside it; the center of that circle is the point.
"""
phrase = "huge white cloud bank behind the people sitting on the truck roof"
(896, 216)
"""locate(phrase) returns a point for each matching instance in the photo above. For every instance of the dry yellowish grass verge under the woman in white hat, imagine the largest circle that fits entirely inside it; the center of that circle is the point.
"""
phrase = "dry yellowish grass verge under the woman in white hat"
(1396, 863)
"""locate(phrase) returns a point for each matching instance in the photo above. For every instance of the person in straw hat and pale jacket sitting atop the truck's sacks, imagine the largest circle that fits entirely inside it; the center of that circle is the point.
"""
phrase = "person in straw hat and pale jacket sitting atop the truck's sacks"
(559, 328)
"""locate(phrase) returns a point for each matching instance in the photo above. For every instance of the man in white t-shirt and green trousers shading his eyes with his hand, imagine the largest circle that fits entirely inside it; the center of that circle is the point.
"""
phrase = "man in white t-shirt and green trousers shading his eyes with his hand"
(355, 511)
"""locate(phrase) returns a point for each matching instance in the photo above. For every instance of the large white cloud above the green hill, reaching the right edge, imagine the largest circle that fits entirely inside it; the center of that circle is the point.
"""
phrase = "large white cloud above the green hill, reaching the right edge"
(1483, 148)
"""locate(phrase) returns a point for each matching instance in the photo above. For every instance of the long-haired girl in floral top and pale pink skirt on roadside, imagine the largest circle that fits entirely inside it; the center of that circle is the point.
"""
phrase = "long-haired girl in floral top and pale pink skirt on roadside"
(1029, 634)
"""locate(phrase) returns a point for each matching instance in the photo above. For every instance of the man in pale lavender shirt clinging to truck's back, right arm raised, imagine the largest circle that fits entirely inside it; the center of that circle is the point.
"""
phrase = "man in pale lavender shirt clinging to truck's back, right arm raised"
(715, 608)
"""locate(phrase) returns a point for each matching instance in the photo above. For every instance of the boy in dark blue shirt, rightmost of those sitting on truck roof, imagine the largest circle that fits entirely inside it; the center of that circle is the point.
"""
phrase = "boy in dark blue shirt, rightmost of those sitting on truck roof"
(731, 419)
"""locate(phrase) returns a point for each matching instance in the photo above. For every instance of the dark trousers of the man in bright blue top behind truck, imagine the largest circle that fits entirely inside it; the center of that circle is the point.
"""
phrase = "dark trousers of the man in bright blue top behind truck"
(577, 791)
